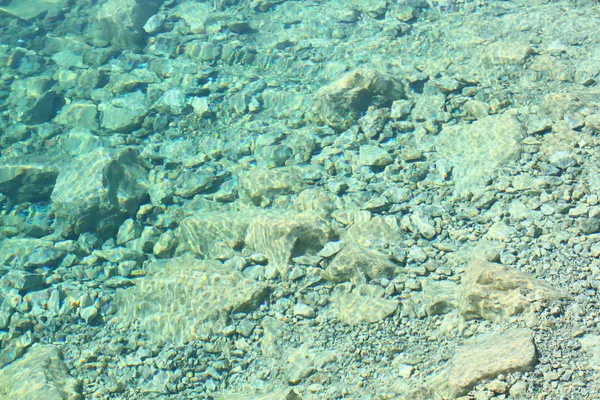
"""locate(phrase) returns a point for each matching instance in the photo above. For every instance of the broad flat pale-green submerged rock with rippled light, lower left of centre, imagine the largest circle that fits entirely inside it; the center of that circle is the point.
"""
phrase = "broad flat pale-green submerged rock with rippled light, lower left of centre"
(183, 299)
